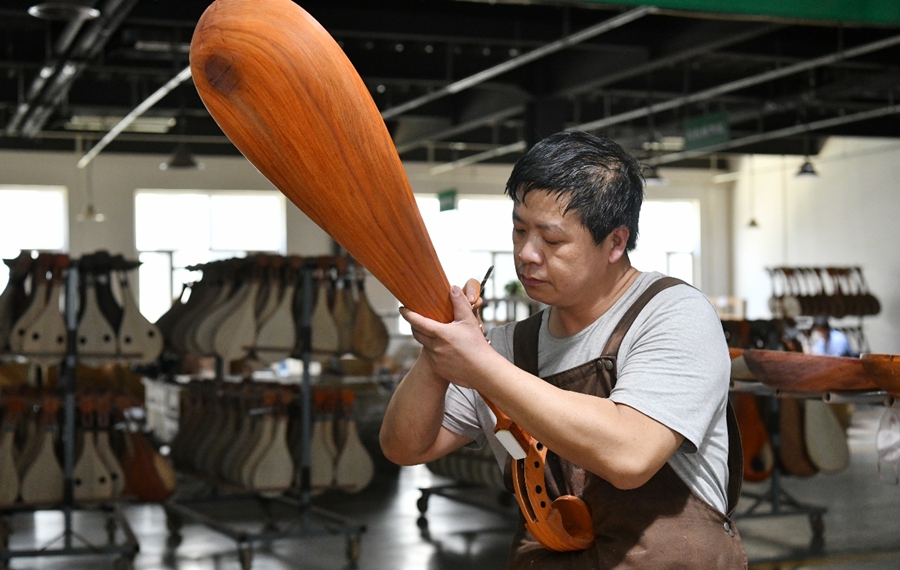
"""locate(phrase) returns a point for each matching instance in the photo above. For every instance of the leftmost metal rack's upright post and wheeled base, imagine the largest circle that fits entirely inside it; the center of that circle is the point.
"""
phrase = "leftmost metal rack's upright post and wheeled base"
(69, 542)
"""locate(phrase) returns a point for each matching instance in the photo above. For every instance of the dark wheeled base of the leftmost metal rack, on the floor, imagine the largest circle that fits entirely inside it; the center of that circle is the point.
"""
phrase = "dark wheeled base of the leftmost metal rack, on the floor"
(70, 543)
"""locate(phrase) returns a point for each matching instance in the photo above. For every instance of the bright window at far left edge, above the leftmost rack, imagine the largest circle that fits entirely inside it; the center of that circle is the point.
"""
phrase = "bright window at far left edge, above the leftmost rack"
(36, 219)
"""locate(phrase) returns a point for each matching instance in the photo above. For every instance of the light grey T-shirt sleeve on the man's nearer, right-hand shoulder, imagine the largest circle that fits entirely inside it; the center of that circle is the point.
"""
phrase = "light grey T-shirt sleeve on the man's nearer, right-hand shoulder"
(674, 365)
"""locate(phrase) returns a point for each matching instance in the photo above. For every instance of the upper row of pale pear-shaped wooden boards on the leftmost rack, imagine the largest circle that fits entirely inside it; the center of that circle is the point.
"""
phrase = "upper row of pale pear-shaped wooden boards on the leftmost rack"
(110, 326)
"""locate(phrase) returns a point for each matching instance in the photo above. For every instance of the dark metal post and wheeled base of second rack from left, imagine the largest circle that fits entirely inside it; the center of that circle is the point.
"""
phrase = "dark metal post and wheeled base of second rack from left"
(279, 516)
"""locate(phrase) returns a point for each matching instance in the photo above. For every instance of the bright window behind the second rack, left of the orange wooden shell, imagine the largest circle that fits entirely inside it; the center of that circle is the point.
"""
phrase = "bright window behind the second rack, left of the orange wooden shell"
(174, 230)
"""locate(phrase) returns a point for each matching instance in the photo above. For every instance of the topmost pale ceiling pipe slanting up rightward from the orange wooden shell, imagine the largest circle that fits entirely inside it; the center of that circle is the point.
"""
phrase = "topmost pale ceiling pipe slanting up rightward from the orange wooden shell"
(519, 61)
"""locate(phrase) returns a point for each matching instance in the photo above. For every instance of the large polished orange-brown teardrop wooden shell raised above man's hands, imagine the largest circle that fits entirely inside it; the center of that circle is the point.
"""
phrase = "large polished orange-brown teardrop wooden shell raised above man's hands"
(286, 95)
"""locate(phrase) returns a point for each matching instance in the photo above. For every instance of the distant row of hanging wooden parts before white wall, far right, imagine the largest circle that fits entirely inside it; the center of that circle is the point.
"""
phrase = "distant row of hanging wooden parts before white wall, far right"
(808, 291)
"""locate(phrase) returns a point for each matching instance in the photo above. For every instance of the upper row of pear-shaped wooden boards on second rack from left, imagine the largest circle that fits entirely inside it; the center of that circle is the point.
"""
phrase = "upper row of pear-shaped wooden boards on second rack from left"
(250, 309)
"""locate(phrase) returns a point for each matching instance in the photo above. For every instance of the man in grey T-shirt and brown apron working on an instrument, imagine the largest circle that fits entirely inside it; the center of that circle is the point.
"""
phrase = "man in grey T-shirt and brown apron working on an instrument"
(637, 423)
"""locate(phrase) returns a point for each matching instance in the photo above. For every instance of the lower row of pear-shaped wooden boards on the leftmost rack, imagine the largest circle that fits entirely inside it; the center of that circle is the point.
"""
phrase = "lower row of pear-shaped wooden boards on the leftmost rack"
(112, 457)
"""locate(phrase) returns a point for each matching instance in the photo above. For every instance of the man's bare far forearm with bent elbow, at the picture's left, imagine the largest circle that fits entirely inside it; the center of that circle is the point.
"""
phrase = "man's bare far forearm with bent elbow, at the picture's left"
(412, 421)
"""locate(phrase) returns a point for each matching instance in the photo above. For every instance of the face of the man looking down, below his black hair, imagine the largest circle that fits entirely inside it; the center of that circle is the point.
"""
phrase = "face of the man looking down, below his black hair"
(556, 258)
